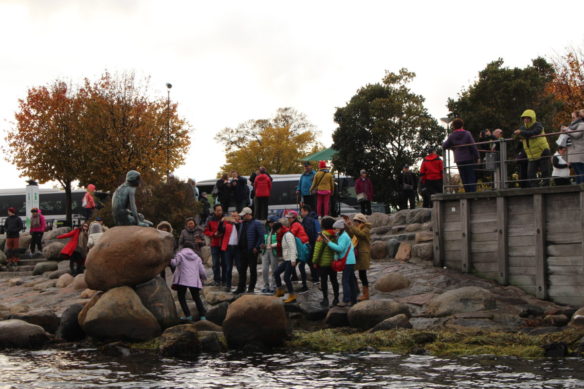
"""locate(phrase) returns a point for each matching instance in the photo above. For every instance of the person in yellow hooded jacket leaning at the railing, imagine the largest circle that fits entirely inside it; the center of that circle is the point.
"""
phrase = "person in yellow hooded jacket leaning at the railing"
(536, 147)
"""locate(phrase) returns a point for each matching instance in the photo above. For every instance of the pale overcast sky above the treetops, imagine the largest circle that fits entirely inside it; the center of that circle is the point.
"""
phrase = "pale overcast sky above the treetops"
(230, 61)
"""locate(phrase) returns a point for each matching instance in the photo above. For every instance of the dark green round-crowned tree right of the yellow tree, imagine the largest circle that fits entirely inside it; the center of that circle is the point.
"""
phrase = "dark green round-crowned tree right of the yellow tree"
(381, 129)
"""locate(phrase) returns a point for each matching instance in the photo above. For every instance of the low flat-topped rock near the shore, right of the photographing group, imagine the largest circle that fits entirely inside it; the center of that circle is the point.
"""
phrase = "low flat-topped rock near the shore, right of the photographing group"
(366, 314)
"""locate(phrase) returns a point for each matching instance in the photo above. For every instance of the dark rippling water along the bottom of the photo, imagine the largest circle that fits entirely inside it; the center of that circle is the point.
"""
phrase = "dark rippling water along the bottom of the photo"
(90, 369)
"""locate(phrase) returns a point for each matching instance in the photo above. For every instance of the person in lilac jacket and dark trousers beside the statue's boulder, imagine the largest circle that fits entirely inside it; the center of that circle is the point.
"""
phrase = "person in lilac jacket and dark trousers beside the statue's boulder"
(189, 274)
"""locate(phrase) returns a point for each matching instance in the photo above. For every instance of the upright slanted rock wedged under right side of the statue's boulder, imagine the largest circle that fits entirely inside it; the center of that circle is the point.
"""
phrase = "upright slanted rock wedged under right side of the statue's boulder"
(157, 298)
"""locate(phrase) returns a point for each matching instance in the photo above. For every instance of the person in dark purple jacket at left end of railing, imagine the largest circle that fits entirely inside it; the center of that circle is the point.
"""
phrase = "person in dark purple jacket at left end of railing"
(466, 154)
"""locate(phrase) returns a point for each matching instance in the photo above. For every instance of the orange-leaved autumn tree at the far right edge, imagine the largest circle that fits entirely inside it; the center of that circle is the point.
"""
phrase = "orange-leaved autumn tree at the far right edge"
(567, 84)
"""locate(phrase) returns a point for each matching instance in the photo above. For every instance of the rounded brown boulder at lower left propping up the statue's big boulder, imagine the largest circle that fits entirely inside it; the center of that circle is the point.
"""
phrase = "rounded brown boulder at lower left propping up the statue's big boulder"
(119, 314)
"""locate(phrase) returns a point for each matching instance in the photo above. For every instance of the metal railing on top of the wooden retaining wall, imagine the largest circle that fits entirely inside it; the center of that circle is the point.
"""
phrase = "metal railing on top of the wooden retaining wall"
(492, 171)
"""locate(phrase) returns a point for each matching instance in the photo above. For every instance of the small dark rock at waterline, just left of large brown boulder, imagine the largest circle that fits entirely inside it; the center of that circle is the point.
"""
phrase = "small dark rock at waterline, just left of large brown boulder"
(181, 341)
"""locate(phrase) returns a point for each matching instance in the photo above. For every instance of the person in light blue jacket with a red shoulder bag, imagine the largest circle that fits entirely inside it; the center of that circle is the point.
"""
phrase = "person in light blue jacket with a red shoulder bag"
(343, 248)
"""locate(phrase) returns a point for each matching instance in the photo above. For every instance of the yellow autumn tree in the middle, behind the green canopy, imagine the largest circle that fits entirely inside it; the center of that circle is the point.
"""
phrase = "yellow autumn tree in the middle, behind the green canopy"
(278, 143)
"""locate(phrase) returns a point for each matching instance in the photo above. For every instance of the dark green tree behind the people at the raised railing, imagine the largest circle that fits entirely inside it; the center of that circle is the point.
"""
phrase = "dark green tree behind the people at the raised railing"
(501, 94)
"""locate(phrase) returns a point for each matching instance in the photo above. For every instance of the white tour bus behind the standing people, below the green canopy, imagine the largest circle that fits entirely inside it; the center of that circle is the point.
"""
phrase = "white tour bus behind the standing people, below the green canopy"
(283, 196)
